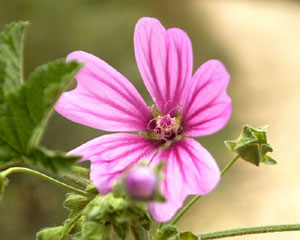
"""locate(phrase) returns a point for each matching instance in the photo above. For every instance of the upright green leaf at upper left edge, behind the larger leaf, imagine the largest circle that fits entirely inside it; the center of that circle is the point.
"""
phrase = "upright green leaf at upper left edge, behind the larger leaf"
(11, 57)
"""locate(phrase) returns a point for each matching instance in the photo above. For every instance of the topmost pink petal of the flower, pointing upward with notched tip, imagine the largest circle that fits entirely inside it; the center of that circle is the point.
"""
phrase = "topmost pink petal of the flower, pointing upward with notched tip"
(165, 61)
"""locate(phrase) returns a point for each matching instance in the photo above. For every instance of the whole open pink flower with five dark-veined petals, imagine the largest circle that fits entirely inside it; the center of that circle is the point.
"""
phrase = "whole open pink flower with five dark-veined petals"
(185, 106)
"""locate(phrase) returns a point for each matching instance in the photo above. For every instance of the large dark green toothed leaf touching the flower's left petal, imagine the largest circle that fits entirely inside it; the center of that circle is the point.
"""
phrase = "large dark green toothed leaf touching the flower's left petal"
(24, 115)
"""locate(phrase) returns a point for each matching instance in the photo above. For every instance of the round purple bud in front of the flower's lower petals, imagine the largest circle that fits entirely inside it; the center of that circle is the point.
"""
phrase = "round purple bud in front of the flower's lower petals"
(141, 183)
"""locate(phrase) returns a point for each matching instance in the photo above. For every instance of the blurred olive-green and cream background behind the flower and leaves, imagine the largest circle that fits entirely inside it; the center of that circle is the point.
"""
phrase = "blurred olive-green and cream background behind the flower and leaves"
(258, 41)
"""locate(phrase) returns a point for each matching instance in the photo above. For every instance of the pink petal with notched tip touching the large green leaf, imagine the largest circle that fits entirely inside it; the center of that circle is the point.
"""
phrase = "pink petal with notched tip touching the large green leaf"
(103, 99)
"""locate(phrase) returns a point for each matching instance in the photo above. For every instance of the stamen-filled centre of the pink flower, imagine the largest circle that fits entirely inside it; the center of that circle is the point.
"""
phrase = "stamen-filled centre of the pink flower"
(164, 127)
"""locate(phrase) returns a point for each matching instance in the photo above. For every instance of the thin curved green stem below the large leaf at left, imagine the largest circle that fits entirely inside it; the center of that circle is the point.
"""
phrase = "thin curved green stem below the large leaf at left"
(43, 176)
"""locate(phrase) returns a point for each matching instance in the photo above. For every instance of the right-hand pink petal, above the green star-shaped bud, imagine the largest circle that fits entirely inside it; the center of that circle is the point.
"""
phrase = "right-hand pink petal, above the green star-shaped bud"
(209, 107)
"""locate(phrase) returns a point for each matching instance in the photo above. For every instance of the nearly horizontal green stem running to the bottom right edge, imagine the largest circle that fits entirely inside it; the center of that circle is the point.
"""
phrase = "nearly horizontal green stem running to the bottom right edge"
(250, 230)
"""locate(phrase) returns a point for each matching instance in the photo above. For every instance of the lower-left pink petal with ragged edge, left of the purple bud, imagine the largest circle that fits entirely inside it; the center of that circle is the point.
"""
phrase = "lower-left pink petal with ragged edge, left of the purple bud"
(112, 154)
